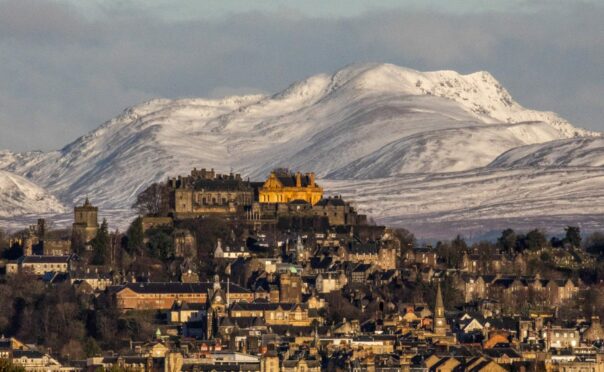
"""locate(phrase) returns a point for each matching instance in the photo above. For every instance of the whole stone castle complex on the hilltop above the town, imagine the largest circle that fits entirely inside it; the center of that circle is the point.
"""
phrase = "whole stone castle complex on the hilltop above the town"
(282, 194)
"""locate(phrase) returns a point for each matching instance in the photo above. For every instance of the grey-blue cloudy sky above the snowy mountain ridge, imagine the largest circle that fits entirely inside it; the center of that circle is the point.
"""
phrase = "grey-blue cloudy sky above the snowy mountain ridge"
(68, 66)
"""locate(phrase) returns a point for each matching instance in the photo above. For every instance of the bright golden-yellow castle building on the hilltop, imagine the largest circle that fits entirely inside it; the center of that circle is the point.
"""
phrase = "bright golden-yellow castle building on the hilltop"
(282, 186)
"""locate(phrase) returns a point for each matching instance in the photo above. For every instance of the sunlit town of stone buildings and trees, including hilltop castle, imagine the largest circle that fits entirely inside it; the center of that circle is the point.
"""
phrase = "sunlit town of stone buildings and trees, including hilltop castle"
(220, 273)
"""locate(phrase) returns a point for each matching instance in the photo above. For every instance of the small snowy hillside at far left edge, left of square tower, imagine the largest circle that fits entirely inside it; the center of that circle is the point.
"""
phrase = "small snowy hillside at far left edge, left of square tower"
(19, 196)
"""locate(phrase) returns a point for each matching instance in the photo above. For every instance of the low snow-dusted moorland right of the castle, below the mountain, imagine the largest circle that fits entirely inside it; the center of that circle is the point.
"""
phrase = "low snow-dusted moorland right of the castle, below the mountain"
(480, 200)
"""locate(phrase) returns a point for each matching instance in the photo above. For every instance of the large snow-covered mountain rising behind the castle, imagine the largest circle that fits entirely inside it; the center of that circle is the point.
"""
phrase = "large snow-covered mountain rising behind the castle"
(380, 123)
